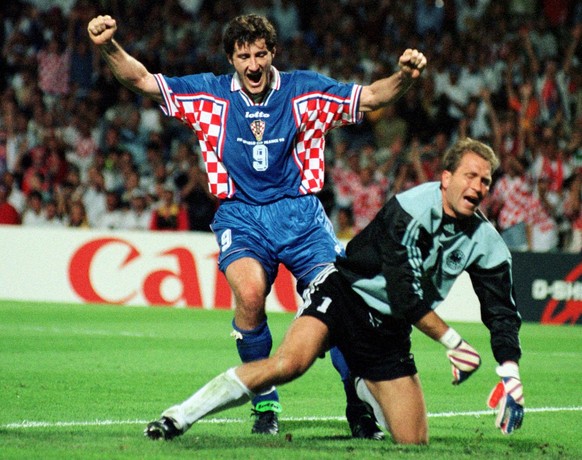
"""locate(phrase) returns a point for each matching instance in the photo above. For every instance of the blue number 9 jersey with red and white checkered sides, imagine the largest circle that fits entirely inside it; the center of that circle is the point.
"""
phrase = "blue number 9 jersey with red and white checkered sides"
(259, 153)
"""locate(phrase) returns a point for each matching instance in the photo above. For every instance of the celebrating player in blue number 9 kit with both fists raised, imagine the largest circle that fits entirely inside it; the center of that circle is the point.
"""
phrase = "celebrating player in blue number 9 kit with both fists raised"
(261, 132)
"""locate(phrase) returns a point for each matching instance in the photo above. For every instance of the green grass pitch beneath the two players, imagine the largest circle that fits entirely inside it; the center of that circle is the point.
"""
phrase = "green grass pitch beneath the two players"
(81, 381)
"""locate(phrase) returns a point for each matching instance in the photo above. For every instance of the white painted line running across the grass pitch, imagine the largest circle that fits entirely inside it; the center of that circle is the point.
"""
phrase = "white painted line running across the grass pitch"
(32, 424)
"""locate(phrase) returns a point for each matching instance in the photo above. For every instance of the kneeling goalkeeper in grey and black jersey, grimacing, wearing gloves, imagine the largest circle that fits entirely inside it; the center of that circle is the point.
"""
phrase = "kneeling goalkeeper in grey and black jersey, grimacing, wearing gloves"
(396, 272)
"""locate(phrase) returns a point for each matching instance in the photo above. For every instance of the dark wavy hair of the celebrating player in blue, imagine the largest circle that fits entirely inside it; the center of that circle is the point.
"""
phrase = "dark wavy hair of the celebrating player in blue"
(248, 29)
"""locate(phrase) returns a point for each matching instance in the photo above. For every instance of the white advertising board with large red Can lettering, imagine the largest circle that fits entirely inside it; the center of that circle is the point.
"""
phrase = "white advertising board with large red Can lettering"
(177, 269)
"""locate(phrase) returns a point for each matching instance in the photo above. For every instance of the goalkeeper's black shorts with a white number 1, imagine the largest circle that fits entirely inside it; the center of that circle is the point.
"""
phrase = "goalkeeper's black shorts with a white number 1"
(376, 346)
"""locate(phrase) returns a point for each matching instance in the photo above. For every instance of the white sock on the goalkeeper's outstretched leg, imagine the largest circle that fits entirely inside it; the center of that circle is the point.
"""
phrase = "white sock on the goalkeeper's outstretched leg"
(222, 392)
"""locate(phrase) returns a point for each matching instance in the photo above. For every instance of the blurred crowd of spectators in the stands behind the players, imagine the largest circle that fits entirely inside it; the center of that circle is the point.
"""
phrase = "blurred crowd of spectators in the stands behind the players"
(79, 150)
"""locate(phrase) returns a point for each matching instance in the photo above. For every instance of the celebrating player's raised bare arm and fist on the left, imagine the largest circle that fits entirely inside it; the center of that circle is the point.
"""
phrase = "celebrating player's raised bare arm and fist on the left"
(128, 70)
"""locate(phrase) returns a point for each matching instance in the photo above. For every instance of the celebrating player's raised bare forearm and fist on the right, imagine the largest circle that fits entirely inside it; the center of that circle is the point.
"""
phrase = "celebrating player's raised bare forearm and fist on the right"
(387, 90)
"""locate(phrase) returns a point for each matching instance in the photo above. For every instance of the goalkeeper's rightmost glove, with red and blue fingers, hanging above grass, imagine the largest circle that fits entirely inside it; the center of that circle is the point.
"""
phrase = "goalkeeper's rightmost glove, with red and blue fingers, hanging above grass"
(507, 397)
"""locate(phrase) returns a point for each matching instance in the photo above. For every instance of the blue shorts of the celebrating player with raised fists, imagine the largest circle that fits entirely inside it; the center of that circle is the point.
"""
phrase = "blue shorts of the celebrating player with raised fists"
(293, 231)
